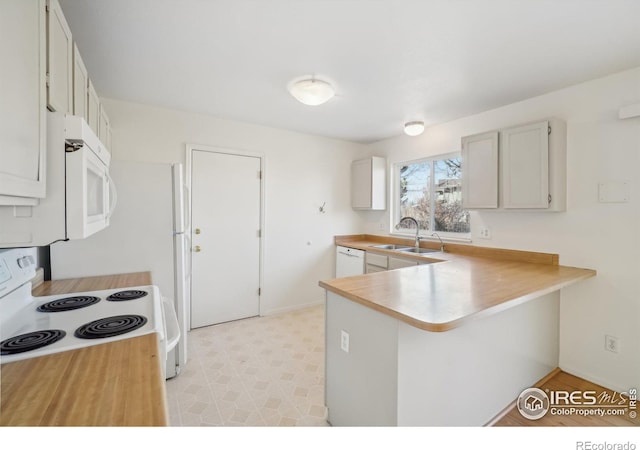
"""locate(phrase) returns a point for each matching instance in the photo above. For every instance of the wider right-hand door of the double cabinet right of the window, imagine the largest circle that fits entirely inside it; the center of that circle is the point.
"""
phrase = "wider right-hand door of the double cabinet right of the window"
(525, 166)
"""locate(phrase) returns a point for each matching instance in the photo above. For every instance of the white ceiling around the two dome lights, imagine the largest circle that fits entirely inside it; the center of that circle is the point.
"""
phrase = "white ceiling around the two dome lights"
(391, 61)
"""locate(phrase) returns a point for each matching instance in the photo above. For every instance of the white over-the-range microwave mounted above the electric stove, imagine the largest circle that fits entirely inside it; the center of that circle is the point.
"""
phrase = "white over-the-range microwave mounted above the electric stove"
(80, 193)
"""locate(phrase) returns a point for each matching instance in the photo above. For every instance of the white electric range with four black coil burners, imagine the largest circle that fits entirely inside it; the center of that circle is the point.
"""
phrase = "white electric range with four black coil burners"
(37, 326)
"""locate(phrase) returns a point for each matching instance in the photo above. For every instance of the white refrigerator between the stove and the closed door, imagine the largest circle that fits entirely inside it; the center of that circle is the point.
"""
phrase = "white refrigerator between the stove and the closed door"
(147, 233)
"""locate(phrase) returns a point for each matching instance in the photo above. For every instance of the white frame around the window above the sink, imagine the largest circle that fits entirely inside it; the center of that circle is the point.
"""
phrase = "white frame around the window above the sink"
(395, 199)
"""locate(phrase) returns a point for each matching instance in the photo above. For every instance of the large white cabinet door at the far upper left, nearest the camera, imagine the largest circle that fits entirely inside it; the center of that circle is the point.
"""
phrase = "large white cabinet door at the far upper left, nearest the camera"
(23, 100)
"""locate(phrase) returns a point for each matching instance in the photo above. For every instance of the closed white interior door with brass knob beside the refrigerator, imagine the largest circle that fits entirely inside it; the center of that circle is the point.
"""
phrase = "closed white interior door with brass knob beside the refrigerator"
(226, 218)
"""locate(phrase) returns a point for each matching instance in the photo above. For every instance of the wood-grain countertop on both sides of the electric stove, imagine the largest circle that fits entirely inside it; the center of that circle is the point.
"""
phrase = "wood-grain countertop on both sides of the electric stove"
(114, 384)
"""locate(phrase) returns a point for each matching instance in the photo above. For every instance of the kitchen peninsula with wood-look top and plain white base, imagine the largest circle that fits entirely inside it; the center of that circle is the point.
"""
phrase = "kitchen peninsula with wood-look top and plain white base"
(451, 342)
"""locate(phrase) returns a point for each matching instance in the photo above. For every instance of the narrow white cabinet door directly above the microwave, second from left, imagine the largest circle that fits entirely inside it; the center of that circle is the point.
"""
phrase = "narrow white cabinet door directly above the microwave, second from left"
(59, 60)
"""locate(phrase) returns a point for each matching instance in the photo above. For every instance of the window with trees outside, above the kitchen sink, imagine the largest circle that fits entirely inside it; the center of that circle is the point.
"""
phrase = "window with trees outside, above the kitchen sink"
(430, 190)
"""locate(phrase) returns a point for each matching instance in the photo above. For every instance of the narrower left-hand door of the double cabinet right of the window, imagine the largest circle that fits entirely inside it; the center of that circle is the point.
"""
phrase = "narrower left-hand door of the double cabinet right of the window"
(480, 171)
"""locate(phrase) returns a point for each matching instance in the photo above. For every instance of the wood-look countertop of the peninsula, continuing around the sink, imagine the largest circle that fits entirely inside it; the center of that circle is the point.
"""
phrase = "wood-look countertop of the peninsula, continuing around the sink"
(464, 283)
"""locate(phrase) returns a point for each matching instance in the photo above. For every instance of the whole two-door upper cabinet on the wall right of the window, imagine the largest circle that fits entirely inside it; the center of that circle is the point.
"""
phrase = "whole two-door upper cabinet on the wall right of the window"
(520, 168)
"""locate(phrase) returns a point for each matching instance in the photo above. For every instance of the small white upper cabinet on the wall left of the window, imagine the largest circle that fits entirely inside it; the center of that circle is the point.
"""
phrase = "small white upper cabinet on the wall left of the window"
(368, 183)
